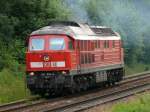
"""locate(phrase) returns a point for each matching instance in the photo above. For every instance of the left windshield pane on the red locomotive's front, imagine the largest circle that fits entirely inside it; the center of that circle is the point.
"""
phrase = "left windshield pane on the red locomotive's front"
(37, 44)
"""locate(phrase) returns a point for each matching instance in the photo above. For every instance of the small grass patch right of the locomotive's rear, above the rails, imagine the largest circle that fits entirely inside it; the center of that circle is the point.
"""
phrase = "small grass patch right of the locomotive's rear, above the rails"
(136, 68)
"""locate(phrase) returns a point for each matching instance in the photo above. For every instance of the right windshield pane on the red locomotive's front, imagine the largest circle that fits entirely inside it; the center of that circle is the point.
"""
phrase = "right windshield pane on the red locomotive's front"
(57, 44)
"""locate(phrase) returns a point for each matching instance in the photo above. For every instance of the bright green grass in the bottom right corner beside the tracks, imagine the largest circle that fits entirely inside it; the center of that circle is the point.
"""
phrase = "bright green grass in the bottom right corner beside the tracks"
(141, 104)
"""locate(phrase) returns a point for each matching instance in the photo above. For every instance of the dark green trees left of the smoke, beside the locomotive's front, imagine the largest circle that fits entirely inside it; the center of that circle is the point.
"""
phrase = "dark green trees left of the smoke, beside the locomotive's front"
(18, 19)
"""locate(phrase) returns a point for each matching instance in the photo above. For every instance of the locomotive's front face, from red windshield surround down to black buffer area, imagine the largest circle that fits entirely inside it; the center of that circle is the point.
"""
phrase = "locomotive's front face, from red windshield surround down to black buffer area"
(48, 62)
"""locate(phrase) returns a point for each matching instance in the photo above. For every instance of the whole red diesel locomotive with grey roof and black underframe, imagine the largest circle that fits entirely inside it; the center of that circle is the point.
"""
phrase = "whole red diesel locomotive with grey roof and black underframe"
(72, 56)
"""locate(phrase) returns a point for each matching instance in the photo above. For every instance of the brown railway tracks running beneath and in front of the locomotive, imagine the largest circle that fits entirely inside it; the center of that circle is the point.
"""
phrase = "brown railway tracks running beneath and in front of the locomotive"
(129, 86)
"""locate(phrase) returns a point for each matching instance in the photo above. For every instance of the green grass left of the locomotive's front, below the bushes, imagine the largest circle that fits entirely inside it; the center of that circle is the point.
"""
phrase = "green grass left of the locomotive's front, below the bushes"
(12, 86)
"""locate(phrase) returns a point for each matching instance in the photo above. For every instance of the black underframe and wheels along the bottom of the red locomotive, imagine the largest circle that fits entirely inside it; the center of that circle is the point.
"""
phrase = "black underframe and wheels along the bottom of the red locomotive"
(55, 82)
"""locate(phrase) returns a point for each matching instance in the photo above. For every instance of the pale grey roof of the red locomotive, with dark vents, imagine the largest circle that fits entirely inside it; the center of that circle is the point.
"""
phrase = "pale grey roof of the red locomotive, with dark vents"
(78, 31)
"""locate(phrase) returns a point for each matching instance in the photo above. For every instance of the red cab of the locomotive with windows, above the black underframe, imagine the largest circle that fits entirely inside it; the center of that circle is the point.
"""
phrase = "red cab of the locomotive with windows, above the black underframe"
(49, 53)
